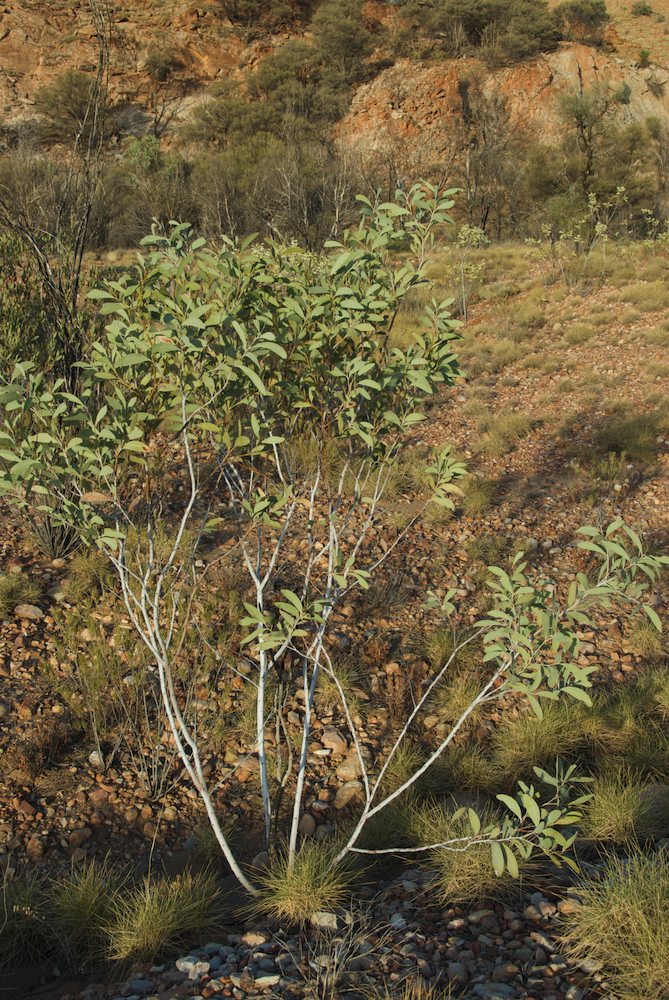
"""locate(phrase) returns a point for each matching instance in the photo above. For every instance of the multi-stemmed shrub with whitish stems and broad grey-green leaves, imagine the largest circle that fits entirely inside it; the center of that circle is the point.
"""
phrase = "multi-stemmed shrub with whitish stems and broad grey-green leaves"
(215, 362)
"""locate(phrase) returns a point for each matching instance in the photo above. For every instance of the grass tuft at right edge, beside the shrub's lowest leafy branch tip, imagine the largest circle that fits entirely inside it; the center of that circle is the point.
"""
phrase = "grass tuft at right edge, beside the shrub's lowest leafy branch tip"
(625, 810)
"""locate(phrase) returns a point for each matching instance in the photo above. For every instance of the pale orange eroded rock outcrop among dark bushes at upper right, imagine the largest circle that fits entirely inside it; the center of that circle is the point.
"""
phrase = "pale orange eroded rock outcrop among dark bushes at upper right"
(420, 108)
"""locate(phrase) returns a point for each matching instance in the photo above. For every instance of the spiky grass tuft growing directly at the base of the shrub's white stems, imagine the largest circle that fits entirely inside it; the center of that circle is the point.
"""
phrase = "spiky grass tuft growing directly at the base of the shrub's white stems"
(313, 884)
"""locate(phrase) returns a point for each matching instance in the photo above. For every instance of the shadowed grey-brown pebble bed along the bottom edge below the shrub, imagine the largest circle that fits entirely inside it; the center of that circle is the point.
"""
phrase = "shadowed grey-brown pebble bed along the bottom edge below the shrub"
(492, 953)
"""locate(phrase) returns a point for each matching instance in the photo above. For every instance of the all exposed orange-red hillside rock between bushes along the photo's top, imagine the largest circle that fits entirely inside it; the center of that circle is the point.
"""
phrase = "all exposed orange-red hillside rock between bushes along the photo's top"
(409, 101)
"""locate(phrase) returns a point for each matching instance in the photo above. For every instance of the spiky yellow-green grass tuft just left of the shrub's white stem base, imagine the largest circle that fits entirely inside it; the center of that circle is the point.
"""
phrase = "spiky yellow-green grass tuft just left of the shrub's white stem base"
(161, 917)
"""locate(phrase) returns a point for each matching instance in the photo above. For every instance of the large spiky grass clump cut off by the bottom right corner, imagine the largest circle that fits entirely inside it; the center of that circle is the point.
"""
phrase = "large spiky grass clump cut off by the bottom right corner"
(622, 926)
